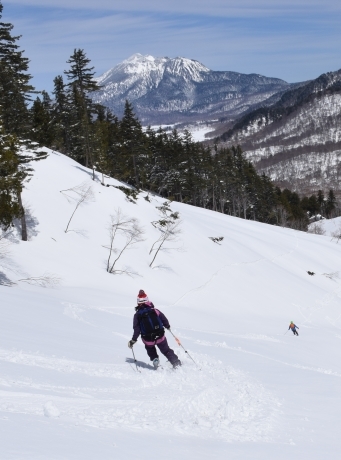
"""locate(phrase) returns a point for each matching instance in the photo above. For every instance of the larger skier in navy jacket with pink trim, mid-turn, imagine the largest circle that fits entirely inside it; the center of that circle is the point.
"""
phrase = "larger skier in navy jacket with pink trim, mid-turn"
(152, 339)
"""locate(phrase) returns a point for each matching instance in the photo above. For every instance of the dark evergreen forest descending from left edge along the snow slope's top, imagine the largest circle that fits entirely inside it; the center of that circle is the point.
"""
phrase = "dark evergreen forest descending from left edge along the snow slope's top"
(169, 164)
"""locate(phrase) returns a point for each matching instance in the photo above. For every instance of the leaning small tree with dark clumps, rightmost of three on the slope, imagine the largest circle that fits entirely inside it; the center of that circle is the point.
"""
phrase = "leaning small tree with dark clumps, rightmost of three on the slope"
(168, 226)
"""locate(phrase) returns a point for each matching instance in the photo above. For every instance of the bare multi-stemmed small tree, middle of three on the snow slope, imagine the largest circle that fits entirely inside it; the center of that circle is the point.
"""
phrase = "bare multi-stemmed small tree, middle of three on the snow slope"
(129, 228)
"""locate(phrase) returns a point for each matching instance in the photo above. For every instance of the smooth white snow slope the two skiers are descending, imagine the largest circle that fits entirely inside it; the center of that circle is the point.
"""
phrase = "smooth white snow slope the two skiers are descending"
(69, 388)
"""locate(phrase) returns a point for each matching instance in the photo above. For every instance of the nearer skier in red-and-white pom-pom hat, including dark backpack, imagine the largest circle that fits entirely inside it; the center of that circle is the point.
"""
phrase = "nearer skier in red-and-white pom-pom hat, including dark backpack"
(151, 324)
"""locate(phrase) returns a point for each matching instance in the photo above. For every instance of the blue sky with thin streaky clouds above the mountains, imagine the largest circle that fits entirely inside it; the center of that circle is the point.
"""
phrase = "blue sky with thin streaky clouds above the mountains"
(293, 40)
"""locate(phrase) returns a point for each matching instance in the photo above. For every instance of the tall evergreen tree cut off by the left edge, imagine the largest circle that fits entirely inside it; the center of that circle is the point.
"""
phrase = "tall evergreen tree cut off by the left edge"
(15, 90)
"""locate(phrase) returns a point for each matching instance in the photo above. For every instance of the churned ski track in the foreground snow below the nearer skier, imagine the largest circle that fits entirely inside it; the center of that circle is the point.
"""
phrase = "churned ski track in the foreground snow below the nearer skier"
(214, 402)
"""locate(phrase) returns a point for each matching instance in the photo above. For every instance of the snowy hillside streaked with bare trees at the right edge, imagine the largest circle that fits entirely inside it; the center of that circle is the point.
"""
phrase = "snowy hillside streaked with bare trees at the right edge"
(297, 139)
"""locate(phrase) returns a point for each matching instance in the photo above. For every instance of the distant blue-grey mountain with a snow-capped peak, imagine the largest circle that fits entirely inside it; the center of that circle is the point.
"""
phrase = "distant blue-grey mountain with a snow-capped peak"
(166, 90)
